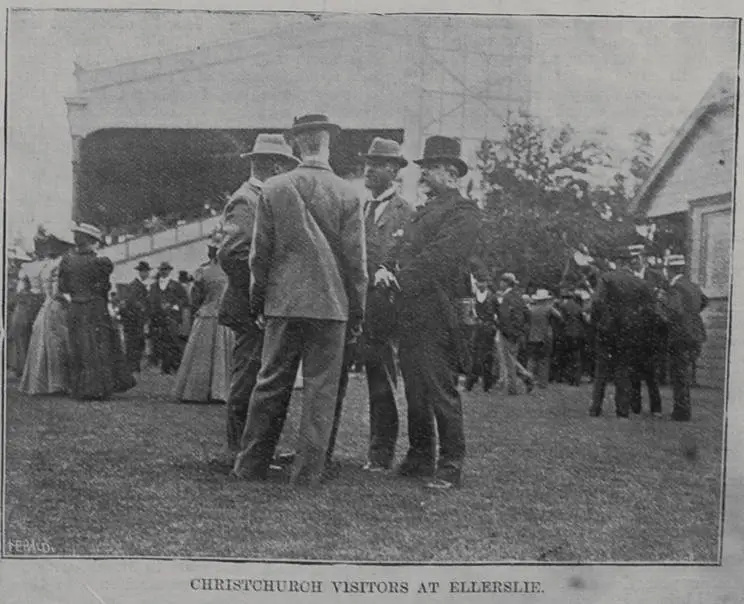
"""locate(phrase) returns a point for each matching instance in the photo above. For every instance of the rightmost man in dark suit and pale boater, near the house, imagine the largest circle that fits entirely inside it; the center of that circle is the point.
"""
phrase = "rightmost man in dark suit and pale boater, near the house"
(684, 302)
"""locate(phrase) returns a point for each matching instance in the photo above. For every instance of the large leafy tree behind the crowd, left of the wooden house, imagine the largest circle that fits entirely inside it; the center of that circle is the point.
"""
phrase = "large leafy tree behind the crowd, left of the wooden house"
(542, 202)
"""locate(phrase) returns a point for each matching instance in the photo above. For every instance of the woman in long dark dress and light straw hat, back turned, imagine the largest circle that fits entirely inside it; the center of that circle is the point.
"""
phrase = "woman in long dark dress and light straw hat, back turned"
(97, 364)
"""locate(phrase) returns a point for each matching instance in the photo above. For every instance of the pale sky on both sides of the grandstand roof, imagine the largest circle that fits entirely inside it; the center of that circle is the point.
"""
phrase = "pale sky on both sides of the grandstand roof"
(598, 74)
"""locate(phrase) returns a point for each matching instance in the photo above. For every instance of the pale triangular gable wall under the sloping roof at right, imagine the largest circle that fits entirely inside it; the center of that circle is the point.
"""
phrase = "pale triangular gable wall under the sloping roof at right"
(703, 168)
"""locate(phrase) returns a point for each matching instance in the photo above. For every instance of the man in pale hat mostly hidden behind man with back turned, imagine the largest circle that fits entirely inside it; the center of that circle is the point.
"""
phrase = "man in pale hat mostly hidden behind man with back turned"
(271, 155)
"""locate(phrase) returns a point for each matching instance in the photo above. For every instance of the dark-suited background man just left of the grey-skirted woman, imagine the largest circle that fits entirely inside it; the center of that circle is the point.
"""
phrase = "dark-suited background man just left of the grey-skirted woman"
(169, 308)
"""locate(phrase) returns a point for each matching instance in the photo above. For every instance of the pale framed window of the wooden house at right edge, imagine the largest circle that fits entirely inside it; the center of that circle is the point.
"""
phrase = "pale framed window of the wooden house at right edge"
(715, 252)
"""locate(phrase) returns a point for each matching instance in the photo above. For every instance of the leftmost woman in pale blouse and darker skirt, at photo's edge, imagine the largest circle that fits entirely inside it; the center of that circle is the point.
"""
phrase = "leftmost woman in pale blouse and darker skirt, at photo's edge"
(30, 297)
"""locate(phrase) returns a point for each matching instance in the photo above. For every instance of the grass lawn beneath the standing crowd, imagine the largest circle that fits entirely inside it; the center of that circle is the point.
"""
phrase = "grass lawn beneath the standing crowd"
(543, 482)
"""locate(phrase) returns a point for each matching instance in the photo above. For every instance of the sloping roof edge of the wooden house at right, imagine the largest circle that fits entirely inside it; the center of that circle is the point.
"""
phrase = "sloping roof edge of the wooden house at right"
(721, 95)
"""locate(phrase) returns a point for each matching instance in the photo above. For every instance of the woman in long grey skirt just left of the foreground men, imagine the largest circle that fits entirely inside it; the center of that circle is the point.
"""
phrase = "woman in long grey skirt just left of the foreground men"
(204, 373)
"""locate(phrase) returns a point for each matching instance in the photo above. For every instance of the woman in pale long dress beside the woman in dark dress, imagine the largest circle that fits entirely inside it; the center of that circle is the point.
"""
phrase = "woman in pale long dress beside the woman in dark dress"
(47, 362)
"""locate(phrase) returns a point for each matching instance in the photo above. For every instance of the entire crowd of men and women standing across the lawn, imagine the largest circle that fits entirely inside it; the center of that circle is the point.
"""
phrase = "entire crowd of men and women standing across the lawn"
(303, 273)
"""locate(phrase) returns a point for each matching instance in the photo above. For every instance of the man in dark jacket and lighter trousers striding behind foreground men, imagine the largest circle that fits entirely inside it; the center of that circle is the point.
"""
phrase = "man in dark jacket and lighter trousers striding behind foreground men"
(514, 319)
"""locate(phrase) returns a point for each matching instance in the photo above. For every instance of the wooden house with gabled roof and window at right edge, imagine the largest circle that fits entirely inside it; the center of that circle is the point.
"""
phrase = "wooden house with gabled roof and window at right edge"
(691, 188)
